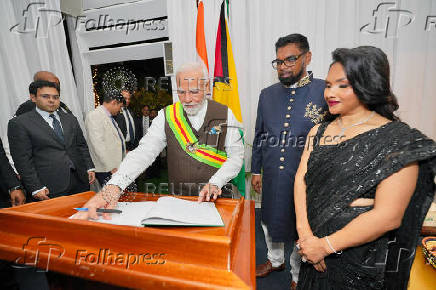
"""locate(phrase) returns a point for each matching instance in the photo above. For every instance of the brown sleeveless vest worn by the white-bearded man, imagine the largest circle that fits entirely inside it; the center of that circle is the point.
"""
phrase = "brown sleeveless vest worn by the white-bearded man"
(187, 175)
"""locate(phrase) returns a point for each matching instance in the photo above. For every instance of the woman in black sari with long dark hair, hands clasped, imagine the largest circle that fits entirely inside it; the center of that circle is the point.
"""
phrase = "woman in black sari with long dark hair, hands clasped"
(364, 184)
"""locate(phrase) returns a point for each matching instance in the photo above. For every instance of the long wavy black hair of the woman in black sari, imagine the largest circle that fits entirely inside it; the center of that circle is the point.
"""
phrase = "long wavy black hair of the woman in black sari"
(367, 70)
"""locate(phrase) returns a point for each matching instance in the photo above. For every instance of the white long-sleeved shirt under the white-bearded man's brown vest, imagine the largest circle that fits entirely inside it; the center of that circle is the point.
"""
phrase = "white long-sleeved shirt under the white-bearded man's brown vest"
(154, 142)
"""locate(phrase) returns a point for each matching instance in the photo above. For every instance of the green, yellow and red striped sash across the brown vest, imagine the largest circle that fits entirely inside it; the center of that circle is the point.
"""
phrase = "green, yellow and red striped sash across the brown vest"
(188, 141)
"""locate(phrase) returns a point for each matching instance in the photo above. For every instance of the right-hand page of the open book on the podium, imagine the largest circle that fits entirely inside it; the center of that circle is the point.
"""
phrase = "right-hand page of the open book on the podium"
(171, 211)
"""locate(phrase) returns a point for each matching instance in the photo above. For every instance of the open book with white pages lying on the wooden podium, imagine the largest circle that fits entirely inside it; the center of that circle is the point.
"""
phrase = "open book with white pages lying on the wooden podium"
(166, 211)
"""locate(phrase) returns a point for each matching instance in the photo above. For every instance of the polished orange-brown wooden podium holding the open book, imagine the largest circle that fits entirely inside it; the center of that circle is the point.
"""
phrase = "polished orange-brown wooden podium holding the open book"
(41, 235)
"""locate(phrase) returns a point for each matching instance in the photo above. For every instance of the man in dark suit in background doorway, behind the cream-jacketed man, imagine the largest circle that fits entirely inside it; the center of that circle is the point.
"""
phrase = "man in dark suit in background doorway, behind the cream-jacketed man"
(129, 123)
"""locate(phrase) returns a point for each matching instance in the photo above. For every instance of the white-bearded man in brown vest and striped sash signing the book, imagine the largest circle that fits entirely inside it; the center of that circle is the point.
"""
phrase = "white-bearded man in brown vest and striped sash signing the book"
(205, 149)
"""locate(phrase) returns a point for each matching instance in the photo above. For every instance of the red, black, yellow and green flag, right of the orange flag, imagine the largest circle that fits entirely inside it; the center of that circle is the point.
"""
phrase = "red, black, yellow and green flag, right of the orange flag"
(225, 89)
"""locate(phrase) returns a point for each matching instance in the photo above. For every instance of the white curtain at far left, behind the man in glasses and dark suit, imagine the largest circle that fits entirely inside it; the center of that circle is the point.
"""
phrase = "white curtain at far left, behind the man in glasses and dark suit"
(26, 49)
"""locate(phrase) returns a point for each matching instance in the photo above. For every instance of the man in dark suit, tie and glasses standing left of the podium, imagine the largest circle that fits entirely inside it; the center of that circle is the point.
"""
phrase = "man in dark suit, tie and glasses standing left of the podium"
(48, 147)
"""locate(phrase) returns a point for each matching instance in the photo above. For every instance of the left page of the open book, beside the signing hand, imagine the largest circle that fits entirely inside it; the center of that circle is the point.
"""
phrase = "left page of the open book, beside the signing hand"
(132, 213)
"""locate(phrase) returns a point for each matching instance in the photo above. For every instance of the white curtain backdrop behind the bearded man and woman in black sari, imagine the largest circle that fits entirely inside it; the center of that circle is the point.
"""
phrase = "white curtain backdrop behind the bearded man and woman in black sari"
(255, 25)
